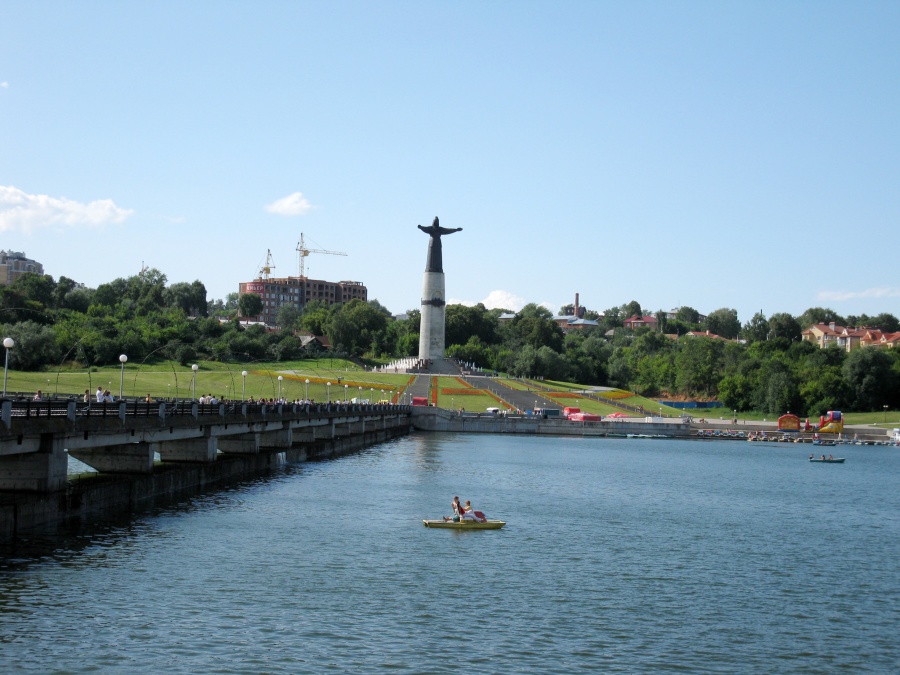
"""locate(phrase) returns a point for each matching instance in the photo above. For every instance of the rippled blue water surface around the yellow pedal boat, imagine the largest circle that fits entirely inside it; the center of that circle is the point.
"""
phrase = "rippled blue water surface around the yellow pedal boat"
(619, 555)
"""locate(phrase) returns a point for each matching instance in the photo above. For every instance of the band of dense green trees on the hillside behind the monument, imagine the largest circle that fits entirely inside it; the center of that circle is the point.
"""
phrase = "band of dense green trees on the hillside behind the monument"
(761, 365)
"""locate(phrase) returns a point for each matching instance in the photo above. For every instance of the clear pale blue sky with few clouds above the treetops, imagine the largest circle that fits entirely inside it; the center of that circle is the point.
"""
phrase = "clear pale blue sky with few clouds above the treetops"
(709, 154)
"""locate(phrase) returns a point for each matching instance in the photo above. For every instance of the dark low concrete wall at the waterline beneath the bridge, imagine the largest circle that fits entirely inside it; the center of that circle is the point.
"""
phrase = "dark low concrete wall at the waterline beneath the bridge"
(93, 498)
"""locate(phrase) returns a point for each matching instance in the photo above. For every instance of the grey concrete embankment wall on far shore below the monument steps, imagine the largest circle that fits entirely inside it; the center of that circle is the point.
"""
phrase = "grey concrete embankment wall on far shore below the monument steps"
(438, 419)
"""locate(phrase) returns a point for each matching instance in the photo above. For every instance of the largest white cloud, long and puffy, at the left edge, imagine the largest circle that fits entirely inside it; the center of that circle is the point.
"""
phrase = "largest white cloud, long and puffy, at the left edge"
(25, 212)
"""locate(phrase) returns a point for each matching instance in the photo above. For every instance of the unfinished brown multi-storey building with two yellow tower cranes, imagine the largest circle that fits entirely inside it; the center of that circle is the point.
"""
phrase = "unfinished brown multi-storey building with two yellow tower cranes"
(276, 292)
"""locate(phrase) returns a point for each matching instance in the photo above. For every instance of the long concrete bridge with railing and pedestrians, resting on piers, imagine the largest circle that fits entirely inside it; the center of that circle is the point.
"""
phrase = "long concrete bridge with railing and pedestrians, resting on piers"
(36, 438)
